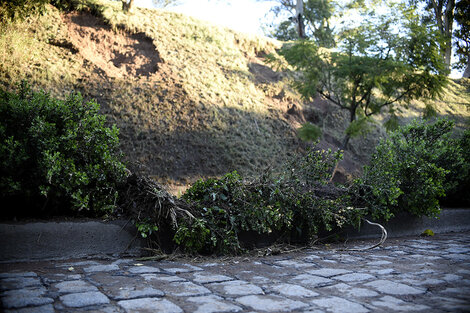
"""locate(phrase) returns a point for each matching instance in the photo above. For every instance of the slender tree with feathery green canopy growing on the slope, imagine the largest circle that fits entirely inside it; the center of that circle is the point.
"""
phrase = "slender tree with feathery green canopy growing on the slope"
(375, 67)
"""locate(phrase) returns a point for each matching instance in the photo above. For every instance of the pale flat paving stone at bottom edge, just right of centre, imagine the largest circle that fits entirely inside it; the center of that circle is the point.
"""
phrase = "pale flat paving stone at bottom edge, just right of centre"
(271, 303)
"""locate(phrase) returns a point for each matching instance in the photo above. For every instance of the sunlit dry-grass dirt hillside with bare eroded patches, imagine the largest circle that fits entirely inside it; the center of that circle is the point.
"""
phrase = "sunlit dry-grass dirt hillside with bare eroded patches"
(191, 99)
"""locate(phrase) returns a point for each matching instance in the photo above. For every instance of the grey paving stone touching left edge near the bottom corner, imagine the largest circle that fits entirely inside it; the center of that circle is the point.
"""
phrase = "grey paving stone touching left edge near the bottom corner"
(20, 298)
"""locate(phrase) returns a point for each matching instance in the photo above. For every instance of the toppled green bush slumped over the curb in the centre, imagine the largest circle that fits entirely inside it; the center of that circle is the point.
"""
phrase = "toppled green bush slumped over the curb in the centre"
(295, 204)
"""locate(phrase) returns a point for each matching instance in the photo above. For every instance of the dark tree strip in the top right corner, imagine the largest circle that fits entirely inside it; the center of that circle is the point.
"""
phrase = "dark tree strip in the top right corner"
(462, 35)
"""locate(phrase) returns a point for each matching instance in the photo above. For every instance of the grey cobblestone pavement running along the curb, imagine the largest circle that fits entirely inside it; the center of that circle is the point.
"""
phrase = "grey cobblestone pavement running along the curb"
(429, 274)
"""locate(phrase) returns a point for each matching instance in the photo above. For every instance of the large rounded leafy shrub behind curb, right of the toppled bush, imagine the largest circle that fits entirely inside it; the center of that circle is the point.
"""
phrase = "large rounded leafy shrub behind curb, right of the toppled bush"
(409, 170)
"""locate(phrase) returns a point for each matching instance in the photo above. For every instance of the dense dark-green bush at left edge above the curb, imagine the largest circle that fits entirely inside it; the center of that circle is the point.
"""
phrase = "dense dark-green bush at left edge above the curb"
(56, 155)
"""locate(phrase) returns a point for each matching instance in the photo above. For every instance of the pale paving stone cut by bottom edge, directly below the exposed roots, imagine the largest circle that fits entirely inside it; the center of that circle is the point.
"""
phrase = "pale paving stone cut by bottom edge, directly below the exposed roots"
(149, 305)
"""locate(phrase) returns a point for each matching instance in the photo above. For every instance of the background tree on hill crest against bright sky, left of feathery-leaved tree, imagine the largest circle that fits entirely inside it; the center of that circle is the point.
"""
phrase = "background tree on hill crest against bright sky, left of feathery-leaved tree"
(314, 19)
